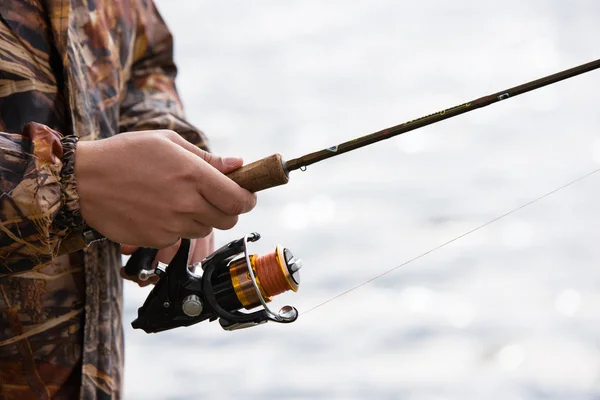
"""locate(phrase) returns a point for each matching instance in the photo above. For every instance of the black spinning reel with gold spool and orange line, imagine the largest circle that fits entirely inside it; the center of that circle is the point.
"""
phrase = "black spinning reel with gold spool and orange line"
(228, 280)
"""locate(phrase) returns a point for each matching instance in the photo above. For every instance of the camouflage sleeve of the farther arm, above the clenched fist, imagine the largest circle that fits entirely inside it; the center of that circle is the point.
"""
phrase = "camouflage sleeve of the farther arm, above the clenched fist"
(151, 100)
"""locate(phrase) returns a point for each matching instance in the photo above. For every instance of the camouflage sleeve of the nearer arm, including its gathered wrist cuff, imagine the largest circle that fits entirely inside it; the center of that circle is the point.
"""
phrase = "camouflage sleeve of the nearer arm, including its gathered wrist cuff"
(39, 205)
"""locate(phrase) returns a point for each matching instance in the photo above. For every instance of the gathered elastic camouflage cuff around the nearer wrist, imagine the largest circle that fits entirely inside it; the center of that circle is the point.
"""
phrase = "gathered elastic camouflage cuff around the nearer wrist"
(69, 218)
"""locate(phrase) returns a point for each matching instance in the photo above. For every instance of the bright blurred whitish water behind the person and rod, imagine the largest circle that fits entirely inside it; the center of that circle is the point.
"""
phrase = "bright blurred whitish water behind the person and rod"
(509, 312)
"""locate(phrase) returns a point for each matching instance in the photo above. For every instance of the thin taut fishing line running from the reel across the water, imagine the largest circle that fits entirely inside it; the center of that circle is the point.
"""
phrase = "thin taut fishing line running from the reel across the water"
(454, 240)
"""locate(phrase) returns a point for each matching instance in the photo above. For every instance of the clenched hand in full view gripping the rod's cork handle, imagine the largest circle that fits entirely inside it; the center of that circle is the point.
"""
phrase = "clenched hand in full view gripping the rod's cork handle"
(152, 188)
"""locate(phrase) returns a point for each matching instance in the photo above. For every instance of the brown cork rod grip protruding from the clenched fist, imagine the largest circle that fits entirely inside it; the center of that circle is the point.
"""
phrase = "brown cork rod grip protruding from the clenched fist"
(262, 174)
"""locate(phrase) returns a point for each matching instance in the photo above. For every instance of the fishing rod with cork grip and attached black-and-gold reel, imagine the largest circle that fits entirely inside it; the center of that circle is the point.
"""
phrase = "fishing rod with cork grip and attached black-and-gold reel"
(231, 279)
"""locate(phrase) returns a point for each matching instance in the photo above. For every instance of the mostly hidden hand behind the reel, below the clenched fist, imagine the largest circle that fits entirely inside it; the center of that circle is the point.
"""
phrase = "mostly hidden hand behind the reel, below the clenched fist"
(199, 250)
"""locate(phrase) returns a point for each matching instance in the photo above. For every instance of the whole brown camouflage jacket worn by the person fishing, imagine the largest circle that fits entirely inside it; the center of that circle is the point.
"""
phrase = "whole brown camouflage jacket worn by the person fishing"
(75, 68)
